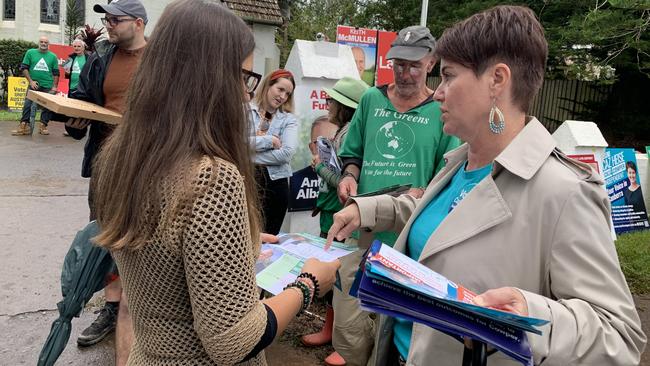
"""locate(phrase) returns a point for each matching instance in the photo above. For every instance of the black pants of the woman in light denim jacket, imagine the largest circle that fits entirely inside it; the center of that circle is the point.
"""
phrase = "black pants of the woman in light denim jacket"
(274, 196)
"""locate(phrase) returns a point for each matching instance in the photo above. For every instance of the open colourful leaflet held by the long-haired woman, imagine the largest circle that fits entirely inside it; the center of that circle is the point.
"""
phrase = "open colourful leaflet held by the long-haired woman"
(280, 264)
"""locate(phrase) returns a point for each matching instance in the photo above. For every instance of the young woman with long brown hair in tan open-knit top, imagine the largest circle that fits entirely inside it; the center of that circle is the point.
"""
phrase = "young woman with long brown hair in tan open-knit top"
(177, 203)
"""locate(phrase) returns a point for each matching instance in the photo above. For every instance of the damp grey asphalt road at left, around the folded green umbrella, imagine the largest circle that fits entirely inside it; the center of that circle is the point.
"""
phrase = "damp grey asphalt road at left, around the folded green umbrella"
(42, 205)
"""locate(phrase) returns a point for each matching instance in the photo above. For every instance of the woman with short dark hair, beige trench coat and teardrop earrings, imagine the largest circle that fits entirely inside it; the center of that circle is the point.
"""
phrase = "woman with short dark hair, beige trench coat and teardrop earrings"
(510, 216)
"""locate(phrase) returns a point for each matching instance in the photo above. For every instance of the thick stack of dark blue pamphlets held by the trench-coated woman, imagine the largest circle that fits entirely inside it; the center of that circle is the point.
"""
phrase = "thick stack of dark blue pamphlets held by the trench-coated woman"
(393, 284)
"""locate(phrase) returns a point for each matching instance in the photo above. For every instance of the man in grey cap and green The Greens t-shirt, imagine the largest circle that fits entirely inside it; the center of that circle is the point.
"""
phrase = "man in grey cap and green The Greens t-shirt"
(395, 137)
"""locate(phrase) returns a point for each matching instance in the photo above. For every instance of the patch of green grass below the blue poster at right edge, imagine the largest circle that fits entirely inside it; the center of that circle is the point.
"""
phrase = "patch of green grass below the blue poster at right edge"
(634, 255)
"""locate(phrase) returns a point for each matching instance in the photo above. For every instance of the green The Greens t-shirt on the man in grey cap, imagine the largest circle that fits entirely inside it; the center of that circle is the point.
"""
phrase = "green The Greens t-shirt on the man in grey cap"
(394, 147)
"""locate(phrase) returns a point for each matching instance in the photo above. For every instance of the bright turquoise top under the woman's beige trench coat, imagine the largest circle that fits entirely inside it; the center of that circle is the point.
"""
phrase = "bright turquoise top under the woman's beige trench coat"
(426, 223)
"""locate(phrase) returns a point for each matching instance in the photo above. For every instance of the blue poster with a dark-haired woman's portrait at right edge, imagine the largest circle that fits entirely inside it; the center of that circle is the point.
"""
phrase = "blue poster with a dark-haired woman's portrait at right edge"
(622, 181)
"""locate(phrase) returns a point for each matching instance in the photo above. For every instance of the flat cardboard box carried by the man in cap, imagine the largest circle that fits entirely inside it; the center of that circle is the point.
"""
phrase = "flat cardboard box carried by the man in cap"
(74, 107)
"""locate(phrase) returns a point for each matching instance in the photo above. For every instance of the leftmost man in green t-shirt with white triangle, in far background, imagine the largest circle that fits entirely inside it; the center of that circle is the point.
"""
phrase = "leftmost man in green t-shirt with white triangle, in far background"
(41, 68)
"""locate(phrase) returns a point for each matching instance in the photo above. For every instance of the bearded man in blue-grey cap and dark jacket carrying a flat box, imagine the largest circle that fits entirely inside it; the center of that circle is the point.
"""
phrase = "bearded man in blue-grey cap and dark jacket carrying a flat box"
(104, 81)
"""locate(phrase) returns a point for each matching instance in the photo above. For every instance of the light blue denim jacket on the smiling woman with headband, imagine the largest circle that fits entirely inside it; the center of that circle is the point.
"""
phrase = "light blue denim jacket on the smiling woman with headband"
(284, 126)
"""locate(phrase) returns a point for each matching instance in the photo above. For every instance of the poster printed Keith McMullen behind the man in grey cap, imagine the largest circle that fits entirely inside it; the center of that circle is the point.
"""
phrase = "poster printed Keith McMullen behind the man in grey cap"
(363, 43)
